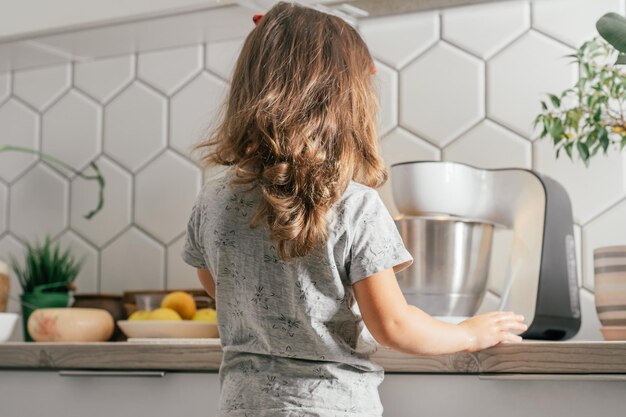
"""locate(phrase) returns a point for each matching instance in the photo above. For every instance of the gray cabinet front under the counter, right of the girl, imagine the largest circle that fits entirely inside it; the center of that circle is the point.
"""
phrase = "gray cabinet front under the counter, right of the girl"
(423, 395)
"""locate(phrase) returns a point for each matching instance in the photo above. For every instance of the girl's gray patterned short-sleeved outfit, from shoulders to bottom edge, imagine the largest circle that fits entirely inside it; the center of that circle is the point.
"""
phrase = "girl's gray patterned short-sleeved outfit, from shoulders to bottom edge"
(293, 338)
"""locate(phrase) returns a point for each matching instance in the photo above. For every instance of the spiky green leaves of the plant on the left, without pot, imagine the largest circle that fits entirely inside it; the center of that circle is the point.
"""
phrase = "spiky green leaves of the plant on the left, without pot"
(46, 264)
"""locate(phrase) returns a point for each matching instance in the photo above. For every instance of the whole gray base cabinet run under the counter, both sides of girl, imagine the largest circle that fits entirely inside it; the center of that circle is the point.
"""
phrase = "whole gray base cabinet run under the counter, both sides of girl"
(153, 394)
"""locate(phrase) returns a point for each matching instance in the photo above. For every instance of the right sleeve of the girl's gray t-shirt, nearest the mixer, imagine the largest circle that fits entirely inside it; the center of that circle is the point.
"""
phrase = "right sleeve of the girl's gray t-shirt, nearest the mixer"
(376, 244)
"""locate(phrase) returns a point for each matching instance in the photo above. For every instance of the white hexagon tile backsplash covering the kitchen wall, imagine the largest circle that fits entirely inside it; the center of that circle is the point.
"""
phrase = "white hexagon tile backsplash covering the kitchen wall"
(463, 84)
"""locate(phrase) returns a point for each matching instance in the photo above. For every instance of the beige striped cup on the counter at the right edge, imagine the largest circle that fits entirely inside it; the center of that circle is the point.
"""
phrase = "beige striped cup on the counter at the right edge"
(610, 284)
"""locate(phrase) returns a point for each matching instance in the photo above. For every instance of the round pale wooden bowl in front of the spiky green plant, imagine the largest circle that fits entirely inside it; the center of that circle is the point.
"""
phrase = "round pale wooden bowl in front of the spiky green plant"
(70, 325)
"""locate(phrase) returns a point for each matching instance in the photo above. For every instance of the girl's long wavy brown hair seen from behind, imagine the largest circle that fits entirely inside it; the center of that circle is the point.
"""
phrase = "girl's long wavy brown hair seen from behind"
(299, 122)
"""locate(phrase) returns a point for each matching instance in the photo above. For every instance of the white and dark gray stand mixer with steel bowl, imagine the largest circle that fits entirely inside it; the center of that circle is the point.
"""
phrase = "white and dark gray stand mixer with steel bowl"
(449, 211)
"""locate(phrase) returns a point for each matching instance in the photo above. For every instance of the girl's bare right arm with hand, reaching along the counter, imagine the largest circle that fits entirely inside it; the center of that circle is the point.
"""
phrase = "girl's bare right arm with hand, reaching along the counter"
(400, 326)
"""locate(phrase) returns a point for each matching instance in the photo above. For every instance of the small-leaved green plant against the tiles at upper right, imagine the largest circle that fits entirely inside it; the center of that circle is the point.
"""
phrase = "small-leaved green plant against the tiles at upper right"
(590, 116)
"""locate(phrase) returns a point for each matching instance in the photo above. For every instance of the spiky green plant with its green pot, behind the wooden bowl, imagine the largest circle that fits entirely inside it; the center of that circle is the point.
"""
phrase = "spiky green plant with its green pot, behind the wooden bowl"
(46, 278)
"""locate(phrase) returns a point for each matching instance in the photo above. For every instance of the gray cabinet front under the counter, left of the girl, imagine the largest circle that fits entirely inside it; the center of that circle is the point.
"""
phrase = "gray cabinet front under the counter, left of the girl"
(99, 394)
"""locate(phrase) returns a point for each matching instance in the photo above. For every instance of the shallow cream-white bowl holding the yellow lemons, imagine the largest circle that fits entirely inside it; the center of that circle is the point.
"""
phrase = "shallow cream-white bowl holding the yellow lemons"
(168, 329)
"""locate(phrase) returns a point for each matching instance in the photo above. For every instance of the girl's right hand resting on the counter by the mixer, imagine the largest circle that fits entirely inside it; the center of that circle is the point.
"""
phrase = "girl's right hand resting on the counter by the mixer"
(489, 329)
